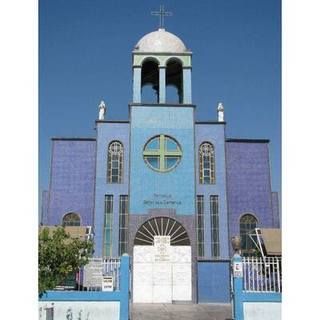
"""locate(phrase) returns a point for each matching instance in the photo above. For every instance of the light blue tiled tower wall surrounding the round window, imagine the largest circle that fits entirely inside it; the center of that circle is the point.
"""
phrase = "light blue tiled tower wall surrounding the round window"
(178, 184)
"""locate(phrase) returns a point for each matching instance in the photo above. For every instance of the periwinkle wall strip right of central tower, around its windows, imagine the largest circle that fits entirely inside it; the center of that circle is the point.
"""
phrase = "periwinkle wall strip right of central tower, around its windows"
(215, 134)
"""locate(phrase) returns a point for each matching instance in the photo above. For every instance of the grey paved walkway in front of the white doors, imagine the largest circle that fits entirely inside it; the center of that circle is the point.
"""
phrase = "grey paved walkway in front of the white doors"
(141, 311)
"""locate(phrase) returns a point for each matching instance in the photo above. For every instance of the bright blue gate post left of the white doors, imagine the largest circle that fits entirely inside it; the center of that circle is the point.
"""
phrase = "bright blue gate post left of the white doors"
(124, 286)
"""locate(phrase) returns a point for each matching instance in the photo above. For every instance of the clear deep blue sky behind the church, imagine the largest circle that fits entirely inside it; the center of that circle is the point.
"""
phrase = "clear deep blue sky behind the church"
(85, 56)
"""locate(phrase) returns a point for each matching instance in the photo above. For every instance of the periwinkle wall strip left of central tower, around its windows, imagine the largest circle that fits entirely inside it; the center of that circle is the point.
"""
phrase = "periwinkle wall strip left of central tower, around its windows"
(107, 132)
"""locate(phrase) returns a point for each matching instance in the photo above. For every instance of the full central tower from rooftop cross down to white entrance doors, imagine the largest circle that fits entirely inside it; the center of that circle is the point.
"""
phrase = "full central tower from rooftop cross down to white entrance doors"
(162, 168)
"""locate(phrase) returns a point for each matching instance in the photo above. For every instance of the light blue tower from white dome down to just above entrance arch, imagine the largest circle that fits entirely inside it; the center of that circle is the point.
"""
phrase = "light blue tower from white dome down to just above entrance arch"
(162, 174)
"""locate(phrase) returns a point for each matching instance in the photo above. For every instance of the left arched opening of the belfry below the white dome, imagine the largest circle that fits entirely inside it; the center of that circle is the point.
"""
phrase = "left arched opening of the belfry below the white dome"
(150, 81)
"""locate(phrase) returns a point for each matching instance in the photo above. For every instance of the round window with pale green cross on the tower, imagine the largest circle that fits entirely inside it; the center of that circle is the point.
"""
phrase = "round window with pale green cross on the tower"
(162, 153)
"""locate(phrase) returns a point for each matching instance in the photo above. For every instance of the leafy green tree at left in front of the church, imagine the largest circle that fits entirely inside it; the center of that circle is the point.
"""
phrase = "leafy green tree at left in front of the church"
(59, 256)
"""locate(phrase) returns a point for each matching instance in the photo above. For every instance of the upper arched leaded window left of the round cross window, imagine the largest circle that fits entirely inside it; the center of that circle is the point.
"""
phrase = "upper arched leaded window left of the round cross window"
(115, 162)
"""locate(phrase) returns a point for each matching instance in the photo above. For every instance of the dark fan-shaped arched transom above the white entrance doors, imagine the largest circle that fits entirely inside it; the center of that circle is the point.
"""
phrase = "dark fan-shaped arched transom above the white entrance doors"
(162, 226)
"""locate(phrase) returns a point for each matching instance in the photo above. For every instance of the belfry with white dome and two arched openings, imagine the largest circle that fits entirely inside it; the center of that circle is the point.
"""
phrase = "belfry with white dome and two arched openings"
(161, 70)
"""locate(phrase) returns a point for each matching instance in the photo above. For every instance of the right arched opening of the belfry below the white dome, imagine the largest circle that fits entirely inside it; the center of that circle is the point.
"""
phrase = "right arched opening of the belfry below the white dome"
(174, 81)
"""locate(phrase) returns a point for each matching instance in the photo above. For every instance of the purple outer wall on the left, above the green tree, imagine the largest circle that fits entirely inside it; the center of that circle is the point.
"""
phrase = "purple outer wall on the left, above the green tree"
(72, 180)
